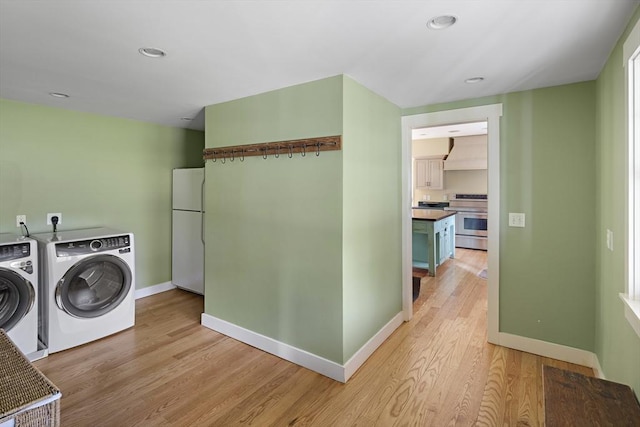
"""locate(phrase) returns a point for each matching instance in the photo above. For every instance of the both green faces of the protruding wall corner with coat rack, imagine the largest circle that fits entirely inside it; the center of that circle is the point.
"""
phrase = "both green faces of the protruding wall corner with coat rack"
(286, 255)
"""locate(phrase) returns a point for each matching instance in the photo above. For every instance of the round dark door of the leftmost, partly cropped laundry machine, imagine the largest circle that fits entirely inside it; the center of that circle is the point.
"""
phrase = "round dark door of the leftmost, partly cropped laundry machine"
(16, 298)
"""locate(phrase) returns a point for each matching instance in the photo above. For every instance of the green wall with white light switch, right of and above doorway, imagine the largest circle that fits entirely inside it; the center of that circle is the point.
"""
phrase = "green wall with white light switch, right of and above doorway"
(547, 157)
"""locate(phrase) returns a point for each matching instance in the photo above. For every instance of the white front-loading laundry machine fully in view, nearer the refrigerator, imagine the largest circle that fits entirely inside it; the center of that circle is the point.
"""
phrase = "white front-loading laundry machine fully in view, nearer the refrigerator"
(88, 285)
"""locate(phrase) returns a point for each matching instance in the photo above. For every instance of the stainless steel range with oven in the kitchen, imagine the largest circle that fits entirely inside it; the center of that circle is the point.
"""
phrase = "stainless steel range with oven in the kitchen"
(471, 220)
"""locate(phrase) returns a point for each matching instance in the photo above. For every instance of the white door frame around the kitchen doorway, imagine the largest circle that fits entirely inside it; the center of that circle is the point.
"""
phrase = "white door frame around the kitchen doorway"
(490, 113)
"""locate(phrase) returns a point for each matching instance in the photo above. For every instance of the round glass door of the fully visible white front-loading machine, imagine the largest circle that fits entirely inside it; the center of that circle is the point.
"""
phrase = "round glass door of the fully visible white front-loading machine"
(94, 286)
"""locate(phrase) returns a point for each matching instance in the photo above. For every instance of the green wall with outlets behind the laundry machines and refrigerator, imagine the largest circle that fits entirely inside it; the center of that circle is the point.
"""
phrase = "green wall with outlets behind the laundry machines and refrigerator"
(96, 171)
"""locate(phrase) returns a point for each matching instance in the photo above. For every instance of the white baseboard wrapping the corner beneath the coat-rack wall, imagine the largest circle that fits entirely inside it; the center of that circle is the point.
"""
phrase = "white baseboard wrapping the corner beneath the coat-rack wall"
(300, 357)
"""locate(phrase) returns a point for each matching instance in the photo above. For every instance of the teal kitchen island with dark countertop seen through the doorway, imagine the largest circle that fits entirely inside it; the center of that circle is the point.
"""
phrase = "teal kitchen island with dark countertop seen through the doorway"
(433, 238)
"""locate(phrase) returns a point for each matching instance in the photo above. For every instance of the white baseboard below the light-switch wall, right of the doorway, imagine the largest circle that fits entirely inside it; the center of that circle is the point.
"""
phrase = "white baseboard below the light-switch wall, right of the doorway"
(551, 350)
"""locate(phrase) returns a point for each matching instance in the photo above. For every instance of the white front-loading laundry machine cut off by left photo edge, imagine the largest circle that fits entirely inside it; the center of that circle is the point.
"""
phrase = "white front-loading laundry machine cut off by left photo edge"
(19, 291)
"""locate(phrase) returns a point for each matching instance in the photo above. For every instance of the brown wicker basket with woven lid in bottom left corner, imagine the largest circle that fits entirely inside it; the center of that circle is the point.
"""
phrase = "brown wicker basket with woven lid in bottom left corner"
(27, 398)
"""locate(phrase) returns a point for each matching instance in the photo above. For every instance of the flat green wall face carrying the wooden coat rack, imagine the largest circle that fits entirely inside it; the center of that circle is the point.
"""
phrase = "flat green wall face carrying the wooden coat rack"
(274, 227)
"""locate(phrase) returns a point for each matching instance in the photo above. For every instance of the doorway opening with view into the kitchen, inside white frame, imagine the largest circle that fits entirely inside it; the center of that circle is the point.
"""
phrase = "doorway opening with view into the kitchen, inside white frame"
(454, 182)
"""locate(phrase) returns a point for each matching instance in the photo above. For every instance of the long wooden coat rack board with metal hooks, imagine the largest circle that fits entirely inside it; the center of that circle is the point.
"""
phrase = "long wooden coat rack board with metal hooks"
(275, 149)
